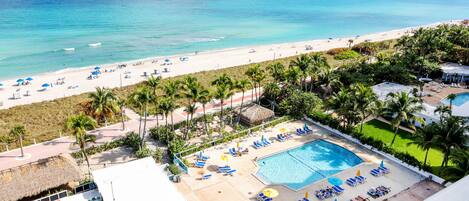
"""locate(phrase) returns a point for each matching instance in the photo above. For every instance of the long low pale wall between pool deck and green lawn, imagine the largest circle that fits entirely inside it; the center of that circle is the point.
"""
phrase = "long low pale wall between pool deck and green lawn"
(383, 154)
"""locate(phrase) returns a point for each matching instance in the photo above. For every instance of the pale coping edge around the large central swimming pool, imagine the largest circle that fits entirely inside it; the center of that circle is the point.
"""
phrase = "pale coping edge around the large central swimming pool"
(285, 150)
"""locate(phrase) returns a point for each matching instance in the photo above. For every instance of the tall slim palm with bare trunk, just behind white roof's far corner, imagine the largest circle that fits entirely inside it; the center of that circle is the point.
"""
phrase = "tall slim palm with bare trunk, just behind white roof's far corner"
(142, 97)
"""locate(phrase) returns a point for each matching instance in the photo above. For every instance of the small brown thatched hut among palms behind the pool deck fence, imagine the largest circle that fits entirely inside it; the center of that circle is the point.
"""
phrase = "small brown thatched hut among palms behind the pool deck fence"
(255, 114)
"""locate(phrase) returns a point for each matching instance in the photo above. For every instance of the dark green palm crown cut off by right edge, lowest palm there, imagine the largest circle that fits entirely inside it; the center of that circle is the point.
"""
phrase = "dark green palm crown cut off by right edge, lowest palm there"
(460, 159)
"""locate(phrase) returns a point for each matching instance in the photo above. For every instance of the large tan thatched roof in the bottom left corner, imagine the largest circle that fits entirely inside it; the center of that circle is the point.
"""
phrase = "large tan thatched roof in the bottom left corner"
(36, 177)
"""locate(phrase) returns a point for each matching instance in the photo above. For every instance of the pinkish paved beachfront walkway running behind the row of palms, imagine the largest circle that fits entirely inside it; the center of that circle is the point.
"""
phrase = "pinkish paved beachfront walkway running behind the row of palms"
(65, 144)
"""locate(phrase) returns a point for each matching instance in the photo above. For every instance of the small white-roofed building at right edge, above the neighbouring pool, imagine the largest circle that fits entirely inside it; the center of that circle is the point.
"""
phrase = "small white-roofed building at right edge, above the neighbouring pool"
(455, 73)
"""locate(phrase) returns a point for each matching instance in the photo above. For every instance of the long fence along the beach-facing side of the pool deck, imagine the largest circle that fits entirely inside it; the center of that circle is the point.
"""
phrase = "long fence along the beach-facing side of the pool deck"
(227, 138)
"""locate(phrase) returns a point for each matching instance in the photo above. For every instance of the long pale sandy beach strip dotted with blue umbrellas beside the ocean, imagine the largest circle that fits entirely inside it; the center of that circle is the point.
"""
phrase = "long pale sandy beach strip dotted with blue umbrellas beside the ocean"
(75, 81)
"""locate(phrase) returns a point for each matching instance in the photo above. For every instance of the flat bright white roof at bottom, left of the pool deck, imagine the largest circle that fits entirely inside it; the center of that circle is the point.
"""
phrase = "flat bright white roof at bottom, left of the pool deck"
(139, 180)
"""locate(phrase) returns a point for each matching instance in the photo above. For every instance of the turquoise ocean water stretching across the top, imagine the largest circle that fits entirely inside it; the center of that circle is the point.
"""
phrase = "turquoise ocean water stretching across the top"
(34, 33)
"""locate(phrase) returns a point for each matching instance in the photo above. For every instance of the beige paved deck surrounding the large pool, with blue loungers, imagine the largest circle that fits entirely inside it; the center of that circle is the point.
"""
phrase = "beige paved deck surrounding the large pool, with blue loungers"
(244, 185)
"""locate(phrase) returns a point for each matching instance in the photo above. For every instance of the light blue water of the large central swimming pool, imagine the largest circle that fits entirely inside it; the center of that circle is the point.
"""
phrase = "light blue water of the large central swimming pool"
(299, 167)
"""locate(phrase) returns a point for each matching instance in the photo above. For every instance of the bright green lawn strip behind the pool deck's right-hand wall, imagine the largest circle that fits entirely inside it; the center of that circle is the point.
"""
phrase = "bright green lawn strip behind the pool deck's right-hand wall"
(384, 132)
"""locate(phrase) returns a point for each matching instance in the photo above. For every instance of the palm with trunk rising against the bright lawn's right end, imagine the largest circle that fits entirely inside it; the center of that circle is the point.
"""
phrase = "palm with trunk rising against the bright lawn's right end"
(426, 138)
